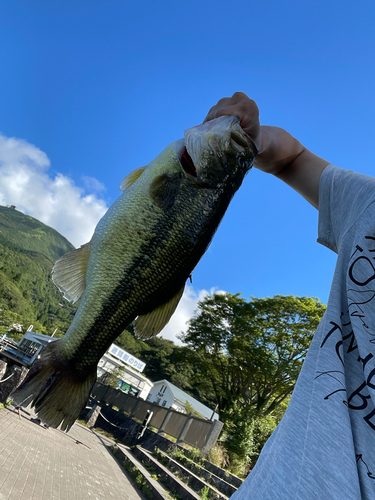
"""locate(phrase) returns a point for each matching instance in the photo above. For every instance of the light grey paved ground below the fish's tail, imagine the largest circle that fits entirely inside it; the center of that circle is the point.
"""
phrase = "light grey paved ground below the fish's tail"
(47, 464)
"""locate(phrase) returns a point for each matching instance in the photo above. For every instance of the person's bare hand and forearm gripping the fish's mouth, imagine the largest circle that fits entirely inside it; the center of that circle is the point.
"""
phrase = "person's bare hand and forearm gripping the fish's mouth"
(280, 153)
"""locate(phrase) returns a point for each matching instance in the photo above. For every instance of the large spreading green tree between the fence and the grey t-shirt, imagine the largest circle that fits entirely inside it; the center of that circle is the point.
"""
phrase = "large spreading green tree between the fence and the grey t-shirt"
(250, 353)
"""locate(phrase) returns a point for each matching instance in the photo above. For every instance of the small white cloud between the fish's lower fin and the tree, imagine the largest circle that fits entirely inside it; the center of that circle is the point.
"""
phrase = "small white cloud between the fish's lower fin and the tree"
(184, 312)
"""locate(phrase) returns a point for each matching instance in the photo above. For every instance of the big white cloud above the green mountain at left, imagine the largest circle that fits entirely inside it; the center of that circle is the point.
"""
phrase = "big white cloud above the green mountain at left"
(56, 201)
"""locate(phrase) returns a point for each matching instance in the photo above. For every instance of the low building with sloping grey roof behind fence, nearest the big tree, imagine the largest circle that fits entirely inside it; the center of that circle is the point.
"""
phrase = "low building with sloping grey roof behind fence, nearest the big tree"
(166, 394)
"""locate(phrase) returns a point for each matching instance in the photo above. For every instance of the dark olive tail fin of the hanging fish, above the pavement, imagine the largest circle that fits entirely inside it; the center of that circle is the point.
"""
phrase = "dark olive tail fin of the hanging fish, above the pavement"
(56, 390)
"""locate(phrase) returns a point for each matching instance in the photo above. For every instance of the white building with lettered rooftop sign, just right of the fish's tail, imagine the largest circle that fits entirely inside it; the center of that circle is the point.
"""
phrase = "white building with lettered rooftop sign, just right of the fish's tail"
(131, 379)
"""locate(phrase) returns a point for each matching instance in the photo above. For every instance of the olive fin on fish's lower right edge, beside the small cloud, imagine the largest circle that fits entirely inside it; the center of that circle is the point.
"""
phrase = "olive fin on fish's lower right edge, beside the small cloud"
(151, 324)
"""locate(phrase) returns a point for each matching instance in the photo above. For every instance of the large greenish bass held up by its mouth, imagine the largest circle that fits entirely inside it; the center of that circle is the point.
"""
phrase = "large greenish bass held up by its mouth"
(138, 260)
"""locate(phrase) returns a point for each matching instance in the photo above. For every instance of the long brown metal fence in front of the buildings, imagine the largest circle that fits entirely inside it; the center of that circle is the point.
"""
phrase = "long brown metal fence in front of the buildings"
(195, 431)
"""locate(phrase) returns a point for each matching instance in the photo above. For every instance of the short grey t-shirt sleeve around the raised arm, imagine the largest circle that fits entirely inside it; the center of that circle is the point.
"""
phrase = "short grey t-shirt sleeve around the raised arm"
(343, 197)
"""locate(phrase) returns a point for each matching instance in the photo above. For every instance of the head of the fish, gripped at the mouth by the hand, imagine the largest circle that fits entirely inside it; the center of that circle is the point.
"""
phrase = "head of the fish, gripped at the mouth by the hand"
(217, 152)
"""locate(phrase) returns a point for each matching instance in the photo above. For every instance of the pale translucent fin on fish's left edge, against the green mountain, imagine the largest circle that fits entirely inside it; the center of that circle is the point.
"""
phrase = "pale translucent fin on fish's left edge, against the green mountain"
(69, 272)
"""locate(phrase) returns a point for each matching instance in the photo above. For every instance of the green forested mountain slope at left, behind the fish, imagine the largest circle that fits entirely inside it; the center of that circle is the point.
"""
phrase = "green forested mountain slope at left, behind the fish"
(28, 250)
